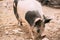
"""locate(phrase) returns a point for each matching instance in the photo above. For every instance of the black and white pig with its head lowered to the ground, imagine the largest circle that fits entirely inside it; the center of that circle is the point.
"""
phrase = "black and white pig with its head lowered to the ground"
(31, 12)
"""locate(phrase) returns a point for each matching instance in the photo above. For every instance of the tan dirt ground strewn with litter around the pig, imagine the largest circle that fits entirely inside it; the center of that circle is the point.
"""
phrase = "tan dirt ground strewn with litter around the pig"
(9, 29)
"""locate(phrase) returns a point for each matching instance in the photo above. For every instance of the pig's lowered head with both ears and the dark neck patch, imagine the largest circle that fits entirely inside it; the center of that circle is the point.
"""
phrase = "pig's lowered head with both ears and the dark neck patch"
(35, 20)
